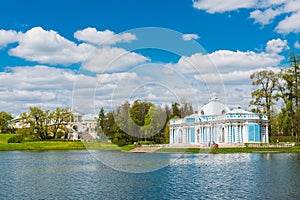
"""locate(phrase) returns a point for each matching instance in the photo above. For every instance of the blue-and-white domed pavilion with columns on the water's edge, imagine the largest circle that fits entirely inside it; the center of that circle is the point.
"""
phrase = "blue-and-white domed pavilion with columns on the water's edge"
(215, 123)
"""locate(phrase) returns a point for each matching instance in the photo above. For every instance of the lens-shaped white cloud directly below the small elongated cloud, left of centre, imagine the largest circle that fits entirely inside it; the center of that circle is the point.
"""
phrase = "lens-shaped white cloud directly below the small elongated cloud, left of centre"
(112, 59)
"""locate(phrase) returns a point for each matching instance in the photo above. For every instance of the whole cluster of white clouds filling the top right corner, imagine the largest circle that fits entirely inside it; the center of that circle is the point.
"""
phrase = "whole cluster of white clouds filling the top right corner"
(265, 11)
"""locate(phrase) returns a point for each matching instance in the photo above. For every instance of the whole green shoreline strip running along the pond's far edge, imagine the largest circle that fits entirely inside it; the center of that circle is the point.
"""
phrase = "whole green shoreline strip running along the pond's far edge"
(70, 145)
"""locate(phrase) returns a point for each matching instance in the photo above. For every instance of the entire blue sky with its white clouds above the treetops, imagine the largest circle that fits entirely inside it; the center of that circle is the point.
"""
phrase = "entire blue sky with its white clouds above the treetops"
(55, 53)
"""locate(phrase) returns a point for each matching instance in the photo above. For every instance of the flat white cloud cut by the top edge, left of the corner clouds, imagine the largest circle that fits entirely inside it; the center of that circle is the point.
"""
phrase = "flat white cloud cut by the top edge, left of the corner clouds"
(220, 6)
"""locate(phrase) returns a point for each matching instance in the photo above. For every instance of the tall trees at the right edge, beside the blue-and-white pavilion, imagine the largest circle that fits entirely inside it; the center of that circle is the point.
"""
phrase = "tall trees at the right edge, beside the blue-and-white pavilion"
(278, 95)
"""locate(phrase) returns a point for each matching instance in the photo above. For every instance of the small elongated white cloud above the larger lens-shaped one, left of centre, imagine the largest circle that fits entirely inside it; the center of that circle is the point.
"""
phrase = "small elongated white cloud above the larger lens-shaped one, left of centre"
(106, 37)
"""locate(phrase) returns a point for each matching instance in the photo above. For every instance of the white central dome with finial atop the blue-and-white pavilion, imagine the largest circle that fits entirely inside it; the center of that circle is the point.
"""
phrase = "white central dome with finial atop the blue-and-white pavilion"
(214, 107)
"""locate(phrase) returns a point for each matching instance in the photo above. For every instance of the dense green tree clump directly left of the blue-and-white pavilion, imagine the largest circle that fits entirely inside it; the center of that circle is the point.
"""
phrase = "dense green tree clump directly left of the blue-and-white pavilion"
(141, 121)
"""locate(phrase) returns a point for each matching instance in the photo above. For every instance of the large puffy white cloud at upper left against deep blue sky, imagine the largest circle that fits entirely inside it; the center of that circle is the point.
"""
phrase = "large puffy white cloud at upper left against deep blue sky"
(48, 47)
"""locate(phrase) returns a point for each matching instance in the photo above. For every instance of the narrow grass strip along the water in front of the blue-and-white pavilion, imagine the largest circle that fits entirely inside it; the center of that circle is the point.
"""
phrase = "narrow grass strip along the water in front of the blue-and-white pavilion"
(228, 150)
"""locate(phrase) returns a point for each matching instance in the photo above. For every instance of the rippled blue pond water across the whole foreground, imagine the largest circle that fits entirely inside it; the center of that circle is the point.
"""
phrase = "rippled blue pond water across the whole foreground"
(81, 175)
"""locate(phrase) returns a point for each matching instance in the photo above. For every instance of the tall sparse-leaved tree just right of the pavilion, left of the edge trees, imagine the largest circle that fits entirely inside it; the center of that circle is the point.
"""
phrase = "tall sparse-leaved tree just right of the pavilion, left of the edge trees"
(264, 94)
